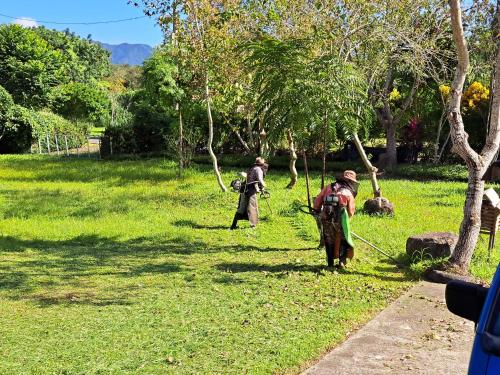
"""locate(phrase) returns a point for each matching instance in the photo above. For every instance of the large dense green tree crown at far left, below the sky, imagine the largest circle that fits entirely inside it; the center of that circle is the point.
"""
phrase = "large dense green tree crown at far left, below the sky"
(33, 61)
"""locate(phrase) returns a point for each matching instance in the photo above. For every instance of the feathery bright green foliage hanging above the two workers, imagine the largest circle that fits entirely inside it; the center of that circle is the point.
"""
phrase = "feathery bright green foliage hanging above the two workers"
(297, 90)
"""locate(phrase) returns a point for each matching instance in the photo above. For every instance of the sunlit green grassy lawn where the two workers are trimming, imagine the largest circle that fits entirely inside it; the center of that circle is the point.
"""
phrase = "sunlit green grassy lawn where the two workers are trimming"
(120, 268)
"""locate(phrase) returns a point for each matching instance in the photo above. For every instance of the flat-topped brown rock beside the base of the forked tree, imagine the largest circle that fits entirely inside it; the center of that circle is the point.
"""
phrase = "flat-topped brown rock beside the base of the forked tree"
(435, 245)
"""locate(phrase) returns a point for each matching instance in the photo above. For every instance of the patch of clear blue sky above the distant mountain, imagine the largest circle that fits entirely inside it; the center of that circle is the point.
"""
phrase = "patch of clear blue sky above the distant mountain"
(136, 31)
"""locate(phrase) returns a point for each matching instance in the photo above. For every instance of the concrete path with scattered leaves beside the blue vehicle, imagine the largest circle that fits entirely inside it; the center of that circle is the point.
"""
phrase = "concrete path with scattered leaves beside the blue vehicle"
(416, 334)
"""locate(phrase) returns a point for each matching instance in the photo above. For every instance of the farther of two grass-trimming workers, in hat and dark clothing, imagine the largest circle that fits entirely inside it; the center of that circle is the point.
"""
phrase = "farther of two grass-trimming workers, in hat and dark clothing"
(248, 207)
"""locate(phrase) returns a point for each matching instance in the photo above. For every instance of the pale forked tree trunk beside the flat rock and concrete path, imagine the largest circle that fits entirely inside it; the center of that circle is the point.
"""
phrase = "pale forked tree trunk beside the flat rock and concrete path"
(477, 163)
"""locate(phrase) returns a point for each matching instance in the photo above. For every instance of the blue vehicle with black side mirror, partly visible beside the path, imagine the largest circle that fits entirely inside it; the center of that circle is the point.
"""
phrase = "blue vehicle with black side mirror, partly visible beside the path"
(482, 306)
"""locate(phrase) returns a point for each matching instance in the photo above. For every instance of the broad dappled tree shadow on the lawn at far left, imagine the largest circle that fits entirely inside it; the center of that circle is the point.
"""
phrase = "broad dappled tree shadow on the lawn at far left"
(52, 264)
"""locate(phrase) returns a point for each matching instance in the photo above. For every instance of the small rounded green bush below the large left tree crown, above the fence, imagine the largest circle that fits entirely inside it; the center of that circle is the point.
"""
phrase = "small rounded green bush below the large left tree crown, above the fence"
(79, 101)
